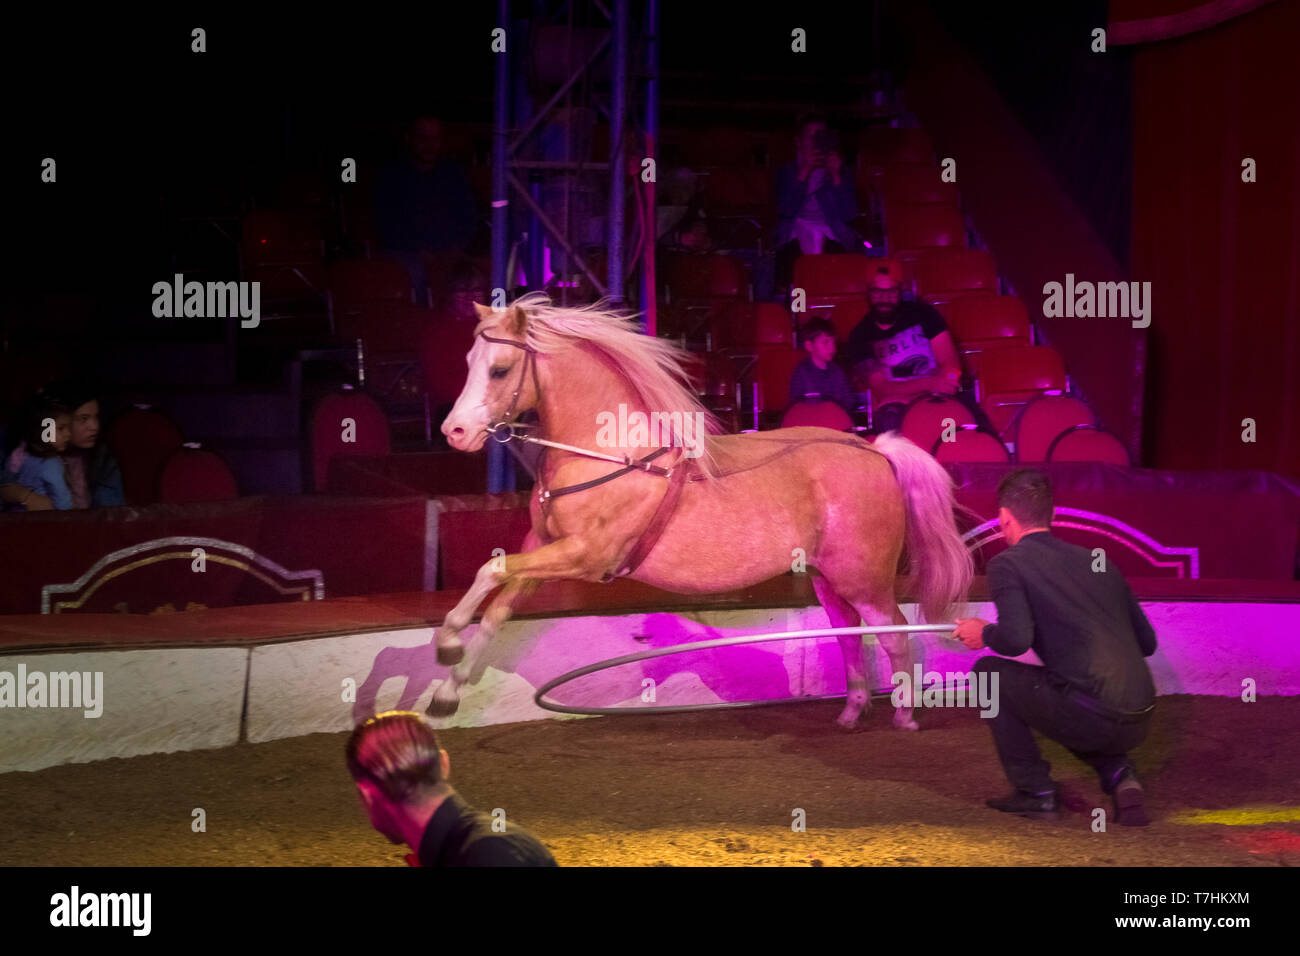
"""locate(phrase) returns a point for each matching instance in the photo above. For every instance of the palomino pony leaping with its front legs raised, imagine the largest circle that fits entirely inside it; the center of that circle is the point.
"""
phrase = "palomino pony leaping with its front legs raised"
(720, 513)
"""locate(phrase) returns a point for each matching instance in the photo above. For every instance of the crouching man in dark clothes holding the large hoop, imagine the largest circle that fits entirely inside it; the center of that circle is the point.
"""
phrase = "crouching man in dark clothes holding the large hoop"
(1094, 694)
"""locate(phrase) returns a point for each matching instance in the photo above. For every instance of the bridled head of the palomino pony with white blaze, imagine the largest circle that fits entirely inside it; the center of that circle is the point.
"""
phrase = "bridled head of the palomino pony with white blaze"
(496, 371)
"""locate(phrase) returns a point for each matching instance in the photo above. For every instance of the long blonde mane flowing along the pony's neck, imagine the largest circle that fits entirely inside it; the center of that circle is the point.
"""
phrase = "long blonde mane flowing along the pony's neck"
(655, 367)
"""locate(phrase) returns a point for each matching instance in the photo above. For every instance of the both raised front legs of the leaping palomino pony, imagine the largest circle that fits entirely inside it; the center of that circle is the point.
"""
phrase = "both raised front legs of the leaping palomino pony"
(523, 573)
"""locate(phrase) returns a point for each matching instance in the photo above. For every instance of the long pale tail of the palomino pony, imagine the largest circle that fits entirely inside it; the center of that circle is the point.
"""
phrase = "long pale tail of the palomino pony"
(941, 565)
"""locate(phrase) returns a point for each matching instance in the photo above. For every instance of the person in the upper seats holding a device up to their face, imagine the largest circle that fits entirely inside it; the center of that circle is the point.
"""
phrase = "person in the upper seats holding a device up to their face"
(816, 201)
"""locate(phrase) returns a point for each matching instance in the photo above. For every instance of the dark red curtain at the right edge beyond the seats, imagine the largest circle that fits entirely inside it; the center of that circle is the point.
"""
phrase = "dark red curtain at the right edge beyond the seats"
(1223, 256)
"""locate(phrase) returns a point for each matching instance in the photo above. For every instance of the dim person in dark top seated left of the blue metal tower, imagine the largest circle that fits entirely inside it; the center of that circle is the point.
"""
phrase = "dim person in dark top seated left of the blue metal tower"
(424, 209)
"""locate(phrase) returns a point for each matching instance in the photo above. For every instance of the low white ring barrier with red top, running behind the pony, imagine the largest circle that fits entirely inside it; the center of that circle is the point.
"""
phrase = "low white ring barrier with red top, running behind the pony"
(179, 682)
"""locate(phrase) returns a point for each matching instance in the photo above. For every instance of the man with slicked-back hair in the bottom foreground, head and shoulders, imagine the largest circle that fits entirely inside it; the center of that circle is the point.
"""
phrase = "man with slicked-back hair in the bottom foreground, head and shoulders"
(402, 776)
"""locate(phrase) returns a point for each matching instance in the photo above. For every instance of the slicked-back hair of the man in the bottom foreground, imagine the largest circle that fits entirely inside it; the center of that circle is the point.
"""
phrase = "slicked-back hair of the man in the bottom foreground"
(398, 752)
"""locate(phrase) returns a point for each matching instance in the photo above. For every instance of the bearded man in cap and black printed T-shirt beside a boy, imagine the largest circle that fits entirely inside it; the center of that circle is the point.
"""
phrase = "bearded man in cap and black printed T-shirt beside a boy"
(902, 351)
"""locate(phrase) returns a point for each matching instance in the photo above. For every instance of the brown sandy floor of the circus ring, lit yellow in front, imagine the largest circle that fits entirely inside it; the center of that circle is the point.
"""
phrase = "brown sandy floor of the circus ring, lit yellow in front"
(705, 790)
